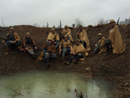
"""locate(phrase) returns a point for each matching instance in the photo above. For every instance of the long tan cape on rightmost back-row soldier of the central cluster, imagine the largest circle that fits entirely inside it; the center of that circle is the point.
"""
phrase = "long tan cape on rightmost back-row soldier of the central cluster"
(83, 36)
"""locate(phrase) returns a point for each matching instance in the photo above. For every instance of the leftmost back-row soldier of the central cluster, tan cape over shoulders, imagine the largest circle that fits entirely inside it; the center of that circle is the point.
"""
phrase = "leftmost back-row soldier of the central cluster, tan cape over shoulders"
(55, 37)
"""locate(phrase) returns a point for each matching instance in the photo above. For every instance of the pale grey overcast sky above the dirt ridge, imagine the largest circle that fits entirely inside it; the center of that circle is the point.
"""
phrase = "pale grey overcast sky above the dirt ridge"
(28, 12)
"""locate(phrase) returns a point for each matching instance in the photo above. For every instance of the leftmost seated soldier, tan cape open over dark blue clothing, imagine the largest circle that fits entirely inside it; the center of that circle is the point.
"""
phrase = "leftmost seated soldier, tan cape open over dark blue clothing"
(12, 40)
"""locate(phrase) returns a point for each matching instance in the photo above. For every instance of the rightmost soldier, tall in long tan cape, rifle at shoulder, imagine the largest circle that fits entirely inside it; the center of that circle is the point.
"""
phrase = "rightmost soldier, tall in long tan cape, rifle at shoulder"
(114, 40)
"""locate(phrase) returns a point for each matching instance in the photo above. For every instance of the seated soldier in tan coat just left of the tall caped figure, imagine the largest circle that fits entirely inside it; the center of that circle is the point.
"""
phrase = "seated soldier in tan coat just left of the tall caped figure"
(100, 46)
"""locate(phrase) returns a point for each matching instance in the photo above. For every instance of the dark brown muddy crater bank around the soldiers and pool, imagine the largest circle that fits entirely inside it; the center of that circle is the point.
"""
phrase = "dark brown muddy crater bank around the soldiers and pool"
(114, 68)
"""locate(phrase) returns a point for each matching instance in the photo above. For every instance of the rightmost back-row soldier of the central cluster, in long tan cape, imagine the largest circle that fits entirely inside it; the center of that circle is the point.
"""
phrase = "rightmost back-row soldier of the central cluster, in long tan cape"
(83, 37)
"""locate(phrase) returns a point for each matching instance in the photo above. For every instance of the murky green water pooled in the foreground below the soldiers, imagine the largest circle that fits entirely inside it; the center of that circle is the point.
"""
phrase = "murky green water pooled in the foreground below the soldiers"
(37, 84)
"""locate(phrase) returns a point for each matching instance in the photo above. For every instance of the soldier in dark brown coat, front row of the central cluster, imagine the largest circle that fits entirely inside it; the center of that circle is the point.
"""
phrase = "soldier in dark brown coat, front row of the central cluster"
(50, 52)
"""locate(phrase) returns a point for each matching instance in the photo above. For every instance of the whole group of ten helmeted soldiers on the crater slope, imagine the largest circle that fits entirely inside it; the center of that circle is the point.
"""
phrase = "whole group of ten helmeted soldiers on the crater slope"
(79, 50)
